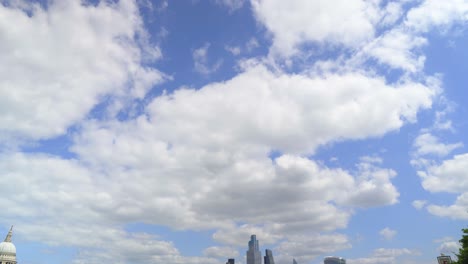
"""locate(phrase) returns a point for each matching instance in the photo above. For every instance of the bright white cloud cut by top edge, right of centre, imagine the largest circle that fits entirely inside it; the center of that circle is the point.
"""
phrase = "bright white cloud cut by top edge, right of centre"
(296, 22)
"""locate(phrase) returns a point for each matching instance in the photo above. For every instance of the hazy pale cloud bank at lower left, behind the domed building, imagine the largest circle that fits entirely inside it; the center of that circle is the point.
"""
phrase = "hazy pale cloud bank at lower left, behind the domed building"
(68, 205)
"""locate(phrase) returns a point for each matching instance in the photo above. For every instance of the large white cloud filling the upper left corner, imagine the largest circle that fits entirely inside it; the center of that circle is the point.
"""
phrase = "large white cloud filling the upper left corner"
(57, 64)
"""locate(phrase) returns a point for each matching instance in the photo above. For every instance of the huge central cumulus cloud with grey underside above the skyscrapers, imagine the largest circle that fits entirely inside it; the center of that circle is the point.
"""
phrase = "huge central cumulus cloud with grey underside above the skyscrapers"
(216, 166)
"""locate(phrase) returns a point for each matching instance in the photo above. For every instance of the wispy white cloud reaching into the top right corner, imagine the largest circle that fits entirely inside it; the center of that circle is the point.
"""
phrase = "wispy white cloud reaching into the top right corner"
(400, 47)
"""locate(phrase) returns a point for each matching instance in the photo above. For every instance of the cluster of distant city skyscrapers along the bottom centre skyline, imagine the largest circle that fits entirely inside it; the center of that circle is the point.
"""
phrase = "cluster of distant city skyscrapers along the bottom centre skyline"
(254, 256)
